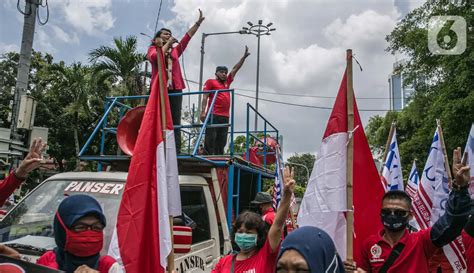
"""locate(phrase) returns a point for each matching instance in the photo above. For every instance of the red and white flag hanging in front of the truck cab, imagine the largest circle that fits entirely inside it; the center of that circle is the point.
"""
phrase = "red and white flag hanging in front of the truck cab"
(142, 238)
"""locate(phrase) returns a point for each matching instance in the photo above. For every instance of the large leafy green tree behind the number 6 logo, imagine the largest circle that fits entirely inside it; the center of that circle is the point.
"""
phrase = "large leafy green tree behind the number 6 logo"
(443, 85)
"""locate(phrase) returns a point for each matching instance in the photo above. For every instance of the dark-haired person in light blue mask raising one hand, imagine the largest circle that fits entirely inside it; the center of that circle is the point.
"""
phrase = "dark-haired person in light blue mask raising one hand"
(258, 249)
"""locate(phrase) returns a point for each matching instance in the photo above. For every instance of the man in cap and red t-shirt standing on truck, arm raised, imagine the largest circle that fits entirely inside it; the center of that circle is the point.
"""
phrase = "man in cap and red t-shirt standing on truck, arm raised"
(216, 138)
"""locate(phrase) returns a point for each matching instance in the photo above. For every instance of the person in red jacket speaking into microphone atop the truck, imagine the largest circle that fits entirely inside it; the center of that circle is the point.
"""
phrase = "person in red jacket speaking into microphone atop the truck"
(172, 50)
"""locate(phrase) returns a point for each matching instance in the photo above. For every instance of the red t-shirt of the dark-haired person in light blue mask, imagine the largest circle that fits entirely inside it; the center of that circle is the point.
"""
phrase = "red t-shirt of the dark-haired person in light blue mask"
(262, 262)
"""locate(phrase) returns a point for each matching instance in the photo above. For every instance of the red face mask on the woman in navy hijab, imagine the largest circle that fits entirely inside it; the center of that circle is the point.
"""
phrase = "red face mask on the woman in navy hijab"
(84, 243)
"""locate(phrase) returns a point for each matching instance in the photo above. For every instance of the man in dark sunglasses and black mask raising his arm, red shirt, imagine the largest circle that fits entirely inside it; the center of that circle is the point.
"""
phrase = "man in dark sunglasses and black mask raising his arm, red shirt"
(415, 249)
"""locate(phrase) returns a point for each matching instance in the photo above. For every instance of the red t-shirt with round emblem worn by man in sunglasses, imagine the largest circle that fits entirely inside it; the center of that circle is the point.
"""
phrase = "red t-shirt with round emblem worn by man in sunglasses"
(414, 257)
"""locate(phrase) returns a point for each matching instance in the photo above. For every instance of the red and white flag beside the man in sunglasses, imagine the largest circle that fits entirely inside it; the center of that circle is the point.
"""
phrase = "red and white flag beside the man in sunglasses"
(324, 201)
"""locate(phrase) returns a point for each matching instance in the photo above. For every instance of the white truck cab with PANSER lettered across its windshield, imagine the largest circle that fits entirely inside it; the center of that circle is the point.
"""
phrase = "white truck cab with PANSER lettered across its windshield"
(28, 226)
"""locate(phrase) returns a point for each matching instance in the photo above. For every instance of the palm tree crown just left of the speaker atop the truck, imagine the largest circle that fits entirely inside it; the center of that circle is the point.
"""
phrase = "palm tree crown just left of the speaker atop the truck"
(122, 63)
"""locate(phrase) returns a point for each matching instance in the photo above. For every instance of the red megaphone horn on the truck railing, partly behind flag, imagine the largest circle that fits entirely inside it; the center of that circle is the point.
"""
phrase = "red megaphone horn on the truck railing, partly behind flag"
(128, 128)
